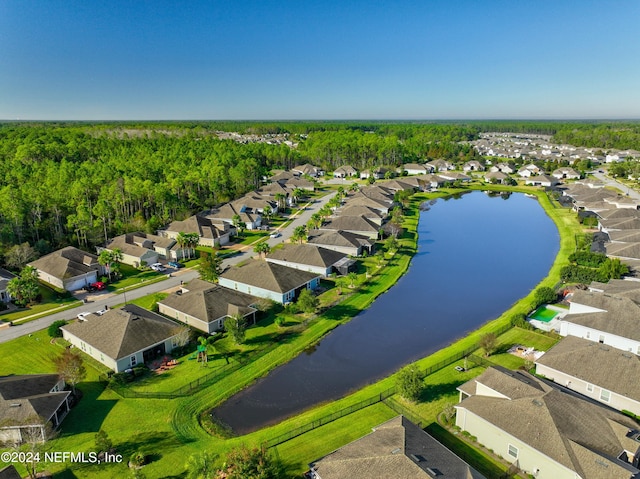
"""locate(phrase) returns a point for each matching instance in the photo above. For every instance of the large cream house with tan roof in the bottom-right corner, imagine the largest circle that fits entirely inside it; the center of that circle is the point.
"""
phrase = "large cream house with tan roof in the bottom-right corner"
(545, 431)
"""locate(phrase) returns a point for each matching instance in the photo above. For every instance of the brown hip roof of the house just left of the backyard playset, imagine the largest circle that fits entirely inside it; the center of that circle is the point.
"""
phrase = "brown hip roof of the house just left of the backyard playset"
(122, 332)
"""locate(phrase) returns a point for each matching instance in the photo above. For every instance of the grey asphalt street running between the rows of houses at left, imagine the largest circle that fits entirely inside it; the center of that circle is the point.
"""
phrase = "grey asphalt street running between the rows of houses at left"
(98, 301)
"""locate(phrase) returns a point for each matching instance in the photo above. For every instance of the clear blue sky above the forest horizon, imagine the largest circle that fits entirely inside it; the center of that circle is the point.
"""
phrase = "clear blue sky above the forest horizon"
(134, 60)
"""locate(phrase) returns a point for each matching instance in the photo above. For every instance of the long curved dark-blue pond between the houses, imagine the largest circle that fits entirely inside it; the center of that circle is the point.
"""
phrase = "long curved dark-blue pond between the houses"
(477, 255)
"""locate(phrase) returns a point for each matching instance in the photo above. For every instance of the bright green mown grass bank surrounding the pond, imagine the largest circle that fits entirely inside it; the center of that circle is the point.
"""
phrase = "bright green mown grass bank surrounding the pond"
(169, 429)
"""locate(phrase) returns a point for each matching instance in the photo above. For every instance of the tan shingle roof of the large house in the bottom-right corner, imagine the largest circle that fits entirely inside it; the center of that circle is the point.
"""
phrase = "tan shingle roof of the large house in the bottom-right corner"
(570, 430)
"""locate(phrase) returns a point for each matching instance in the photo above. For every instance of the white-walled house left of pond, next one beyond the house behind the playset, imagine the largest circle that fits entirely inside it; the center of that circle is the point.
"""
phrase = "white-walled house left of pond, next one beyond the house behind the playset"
(269, 280)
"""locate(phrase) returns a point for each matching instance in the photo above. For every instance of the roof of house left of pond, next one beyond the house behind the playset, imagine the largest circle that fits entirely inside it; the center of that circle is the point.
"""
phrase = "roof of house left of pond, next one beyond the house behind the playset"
(269, 276)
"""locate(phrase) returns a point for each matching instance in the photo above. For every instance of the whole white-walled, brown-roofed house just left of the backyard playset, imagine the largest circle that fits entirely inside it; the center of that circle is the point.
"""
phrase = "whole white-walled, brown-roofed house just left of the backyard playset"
(123, 338)
